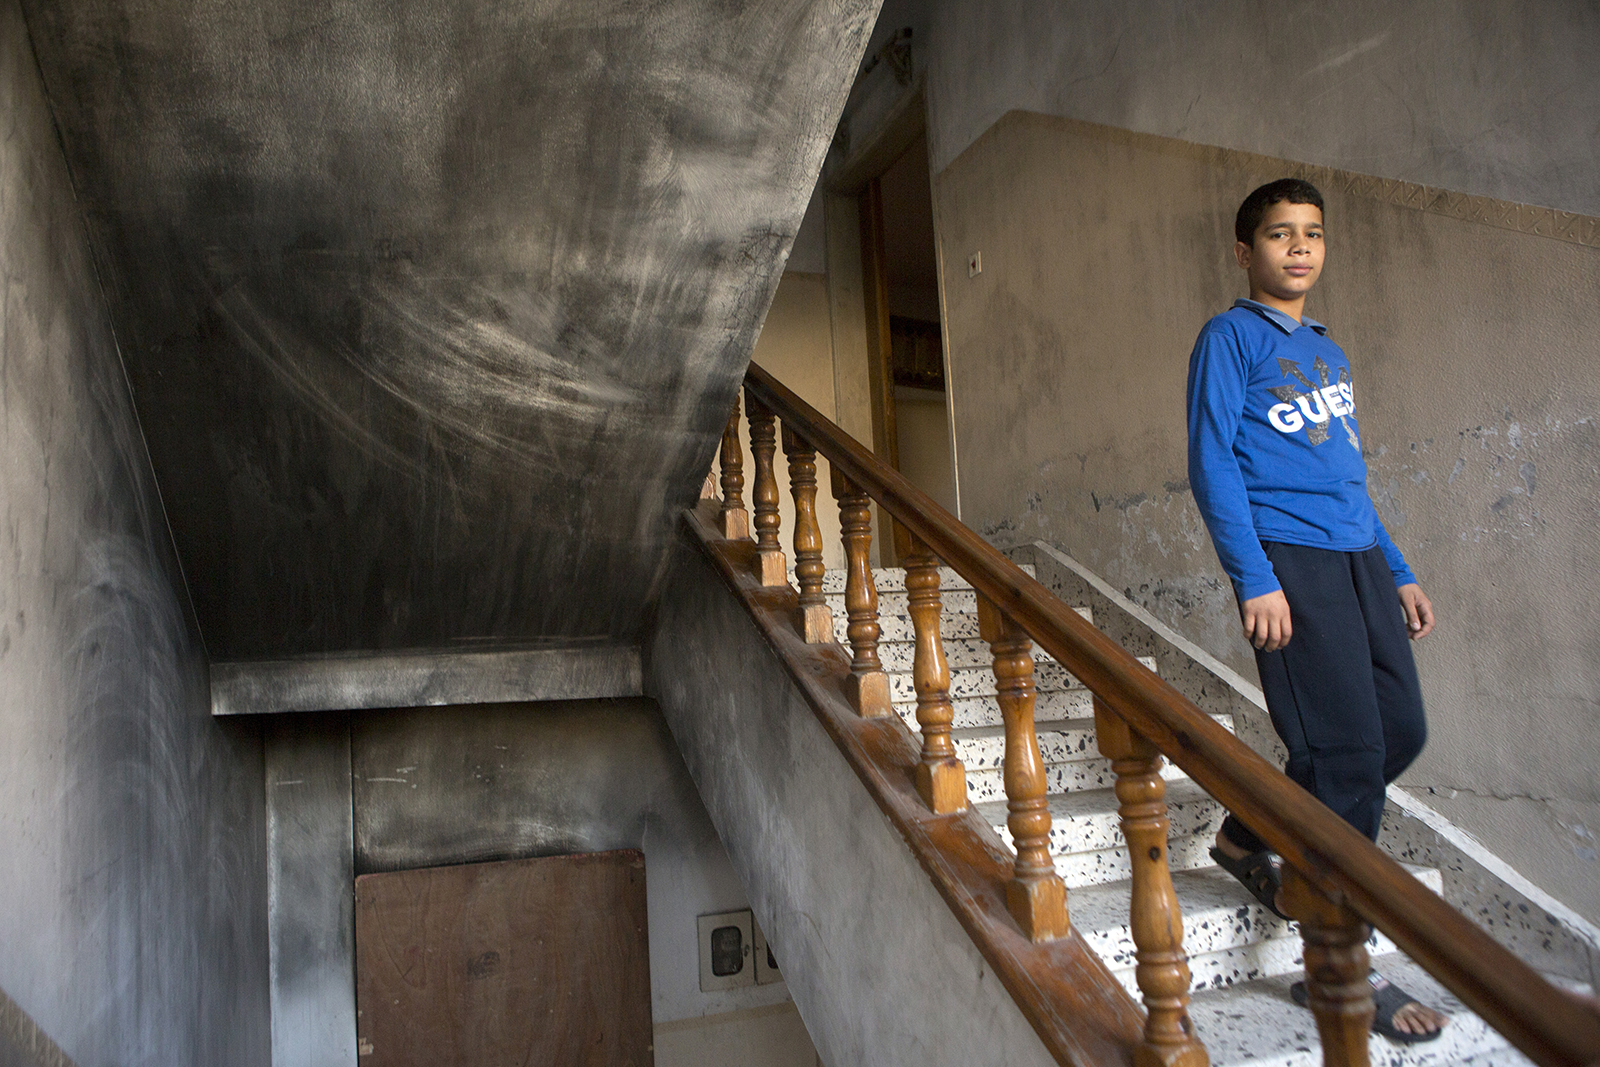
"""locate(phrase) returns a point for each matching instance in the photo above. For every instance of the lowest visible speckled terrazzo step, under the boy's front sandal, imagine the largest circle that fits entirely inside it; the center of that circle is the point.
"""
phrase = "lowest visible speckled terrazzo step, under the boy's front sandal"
(1255, 1025)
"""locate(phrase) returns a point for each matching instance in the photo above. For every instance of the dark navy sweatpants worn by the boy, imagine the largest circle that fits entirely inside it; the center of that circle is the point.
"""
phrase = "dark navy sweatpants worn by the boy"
(1343, 693)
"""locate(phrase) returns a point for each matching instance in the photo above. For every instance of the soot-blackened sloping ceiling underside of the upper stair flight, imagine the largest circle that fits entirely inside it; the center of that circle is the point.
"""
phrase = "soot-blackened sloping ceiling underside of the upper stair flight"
(434, 310)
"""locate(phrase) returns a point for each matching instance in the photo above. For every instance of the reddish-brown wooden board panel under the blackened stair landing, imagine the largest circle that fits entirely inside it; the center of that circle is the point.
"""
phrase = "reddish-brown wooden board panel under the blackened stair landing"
(524, 962)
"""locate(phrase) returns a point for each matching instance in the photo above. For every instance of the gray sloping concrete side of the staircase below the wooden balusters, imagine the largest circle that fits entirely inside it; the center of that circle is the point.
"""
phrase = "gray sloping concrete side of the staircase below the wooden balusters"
(878, 964)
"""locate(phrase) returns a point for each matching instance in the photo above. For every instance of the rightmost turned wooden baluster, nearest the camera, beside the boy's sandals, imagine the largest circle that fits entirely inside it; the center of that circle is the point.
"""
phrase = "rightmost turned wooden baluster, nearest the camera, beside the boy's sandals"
(1337, 970)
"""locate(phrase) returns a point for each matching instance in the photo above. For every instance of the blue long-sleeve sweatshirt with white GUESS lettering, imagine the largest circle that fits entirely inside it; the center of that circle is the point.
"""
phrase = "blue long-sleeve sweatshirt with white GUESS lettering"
(1274, 449)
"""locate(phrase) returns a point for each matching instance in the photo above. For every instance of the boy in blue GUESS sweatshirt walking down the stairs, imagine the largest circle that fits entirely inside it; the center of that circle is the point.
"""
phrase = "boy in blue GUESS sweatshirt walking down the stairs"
(1278, 471)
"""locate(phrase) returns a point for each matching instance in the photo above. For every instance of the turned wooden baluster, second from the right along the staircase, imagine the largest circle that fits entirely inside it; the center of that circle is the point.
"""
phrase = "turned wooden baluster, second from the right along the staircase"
(1156, 917)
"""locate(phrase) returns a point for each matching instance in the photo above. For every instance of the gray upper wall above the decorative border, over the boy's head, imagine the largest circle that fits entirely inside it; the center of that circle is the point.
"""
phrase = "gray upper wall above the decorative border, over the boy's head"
(1478, 97)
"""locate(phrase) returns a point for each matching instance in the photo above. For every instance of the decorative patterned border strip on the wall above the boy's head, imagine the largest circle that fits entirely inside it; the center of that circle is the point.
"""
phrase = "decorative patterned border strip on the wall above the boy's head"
(1506, 215)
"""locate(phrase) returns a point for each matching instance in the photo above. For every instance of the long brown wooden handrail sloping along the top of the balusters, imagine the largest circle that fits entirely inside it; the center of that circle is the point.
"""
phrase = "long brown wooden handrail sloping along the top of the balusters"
(1548, 1025)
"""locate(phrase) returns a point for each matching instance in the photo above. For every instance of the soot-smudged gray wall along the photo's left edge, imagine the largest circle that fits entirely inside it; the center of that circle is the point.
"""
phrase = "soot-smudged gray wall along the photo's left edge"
(132, 892)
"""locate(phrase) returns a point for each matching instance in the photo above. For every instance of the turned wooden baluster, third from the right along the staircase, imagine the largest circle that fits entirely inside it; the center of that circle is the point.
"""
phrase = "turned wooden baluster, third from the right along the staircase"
(1036, 897)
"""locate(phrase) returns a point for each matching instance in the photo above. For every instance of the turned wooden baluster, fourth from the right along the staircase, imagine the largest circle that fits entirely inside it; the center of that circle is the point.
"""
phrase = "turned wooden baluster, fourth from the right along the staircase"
(942, 778)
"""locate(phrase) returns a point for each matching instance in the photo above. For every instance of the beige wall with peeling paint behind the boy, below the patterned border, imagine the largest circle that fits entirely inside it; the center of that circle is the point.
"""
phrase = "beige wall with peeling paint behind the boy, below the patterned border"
(1476, 354)
